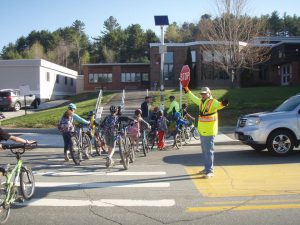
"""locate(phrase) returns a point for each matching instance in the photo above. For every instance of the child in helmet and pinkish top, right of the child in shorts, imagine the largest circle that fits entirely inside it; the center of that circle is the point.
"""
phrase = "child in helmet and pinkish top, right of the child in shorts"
(135, 128)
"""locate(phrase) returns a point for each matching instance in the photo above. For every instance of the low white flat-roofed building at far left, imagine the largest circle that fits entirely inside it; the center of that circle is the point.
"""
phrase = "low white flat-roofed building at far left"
(45, 79)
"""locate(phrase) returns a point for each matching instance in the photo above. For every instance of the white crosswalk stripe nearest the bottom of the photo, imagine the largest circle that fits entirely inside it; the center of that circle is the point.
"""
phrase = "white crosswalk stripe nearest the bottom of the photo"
(101, 202)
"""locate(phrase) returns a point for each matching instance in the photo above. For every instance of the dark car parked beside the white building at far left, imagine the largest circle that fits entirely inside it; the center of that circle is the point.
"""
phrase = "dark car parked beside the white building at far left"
(11, 99)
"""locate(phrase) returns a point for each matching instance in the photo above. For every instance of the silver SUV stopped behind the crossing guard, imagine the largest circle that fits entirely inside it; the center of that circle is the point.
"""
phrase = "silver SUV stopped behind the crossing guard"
(278, 131)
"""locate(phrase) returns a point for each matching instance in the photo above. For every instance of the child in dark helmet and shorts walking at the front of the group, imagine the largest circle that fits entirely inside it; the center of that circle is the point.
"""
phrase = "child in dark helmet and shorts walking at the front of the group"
(109, 125)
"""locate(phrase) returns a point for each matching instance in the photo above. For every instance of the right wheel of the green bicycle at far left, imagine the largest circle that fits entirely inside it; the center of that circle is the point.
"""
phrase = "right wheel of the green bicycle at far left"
(27, 183)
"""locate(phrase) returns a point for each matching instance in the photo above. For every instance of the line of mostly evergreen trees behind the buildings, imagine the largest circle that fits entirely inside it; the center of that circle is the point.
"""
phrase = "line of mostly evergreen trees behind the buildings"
(72, 47)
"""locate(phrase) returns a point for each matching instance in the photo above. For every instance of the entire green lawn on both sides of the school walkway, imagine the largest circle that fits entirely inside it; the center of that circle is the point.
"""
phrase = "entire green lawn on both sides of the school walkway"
(241, 101)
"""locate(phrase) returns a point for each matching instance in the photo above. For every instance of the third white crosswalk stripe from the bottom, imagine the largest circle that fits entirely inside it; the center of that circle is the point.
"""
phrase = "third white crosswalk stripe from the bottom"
(49, 173)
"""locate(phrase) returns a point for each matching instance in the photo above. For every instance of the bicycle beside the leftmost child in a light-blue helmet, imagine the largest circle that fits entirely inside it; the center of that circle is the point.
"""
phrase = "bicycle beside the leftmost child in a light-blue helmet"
(81, 144)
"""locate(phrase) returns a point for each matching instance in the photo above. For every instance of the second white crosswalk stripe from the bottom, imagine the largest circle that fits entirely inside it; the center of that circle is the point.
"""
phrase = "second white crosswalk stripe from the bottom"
(104, 184)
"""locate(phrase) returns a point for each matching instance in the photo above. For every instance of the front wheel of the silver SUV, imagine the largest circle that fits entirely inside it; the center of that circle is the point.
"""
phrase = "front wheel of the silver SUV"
(280, 142)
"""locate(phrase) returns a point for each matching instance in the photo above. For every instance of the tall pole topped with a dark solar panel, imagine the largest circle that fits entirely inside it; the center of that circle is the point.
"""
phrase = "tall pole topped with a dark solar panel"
(162, 21)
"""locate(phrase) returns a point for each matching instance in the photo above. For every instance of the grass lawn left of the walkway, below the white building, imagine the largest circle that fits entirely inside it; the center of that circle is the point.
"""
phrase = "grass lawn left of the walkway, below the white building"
(49, 118)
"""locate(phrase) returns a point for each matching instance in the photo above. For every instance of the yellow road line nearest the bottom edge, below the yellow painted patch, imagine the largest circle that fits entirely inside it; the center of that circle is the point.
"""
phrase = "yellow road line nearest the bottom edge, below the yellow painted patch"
(243, 207)
